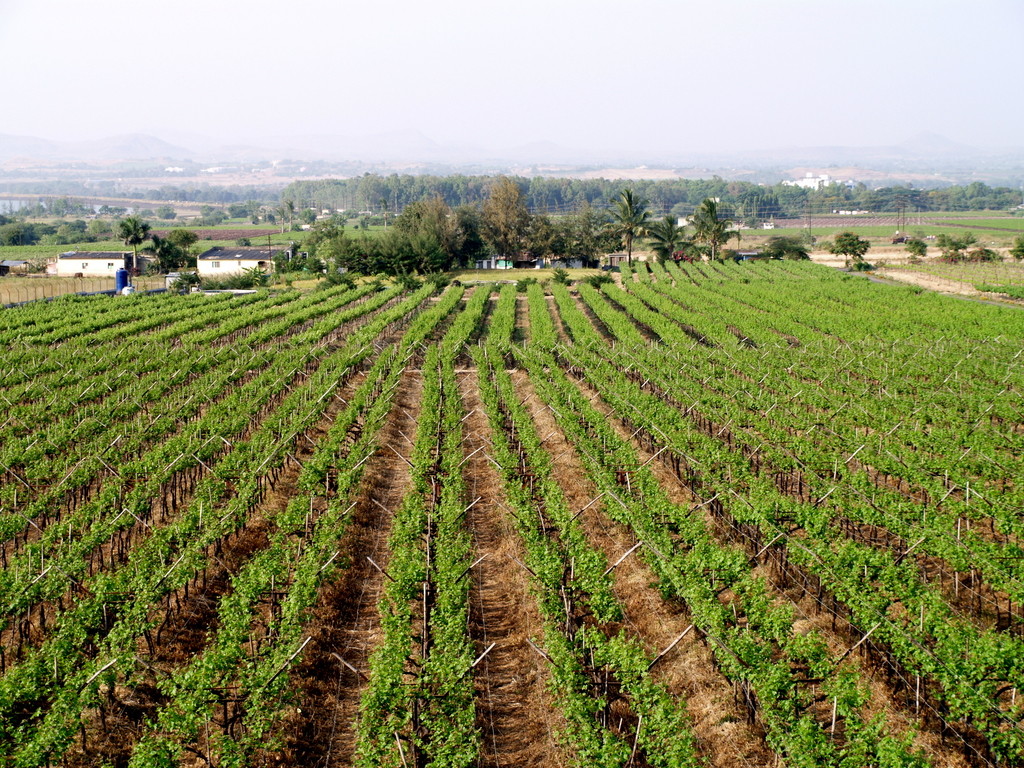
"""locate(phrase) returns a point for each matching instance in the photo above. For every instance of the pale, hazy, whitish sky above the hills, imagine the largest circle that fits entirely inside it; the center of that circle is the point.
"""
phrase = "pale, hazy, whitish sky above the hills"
(629, 76)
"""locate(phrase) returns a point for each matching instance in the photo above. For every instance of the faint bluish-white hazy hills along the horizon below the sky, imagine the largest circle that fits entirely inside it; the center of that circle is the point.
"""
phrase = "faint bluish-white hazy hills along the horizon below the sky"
(926, 158)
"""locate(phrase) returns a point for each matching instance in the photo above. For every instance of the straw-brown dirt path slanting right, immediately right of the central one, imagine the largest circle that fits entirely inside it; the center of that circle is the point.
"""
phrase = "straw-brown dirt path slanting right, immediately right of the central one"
(720, 726)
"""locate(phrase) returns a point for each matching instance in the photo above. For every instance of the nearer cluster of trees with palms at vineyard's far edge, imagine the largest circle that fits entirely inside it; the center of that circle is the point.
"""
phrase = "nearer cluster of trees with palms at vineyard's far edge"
(430, 236)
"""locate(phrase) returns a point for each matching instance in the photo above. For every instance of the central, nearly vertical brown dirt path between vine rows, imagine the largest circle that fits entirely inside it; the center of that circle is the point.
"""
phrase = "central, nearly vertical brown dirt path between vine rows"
(516, 715)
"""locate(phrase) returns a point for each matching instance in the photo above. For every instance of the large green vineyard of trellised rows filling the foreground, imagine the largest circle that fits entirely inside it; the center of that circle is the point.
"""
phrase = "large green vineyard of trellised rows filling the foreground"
(721, 515)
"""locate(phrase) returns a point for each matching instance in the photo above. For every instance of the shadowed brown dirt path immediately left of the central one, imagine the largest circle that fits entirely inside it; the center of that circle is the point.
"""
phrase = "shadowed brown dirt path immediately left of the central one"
(346, 624)
